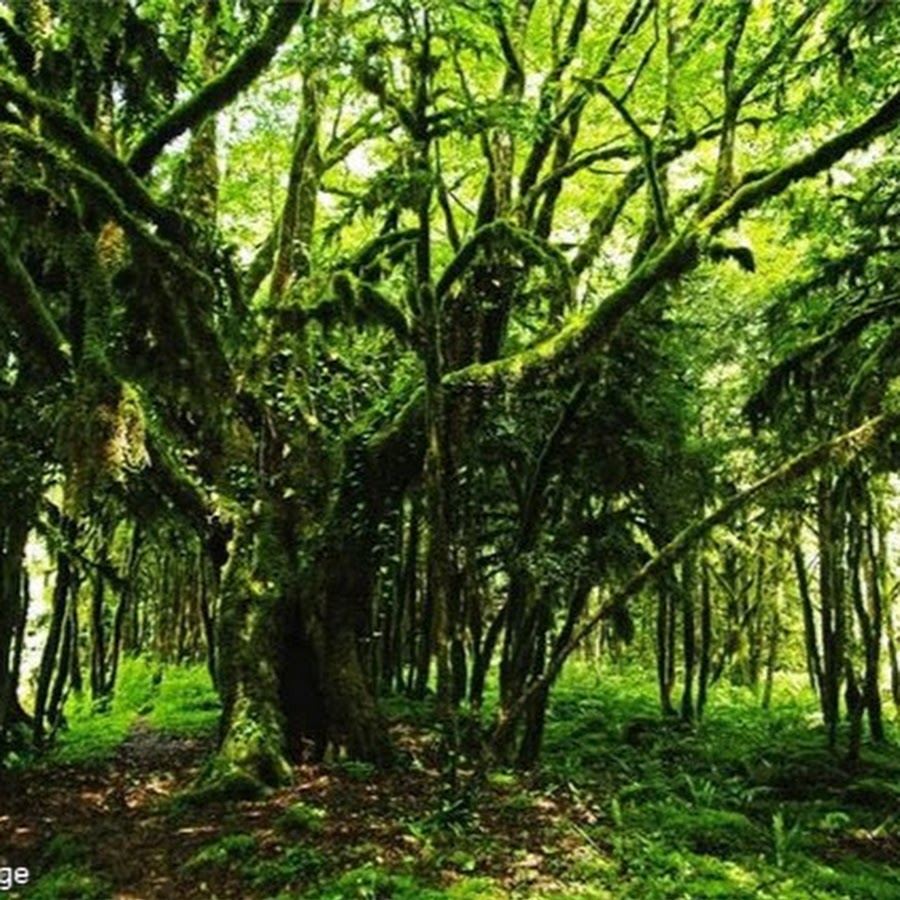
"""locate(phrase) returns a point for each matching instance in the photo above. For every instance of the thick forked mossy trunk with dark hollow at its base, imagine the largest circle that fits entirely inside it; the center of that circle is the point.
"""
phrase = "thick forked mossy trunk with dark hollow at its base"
(289, 669)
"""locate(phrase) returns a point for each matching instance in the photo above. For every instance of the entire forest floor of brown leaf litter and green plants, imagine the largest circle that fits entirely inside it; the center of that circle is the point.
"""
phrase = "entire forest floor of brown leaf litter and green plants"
(624, 805)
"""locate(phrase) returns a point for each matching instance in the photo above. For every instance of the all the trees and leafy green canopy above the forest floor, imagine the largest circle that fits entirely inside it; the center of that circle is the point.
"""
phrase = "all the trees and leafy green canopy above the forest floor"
(405, 348)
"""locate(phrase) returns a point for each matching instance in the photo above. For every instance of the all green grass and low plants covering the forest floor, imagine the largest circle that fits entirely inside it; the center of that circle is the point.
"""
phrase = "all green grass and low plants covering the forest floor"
(747, 804)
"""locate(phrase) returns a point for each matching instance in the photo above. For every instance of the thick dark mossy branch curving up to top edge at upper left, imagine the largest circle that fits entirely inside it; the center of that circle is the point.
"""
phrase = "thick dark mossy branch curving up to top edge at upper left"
(218, 92)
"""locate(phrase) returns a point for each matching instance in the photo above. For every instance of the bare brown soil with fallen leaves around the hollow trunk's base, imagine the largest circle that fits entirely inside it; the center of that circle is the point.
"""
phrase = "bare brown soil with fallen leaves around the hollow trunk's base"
(123, 822)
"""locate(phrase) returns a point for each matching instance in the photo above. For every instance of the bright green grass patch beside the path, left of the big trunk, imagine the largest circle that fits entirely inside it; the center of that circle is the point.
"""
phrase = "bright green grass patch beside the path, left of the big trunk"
(177, 700)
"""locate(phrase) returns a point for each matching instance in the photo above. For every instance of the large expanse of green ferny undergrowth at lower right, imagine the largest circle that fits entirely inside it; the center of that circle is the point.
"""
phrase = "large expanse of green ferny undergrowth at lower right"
(748, 804)
